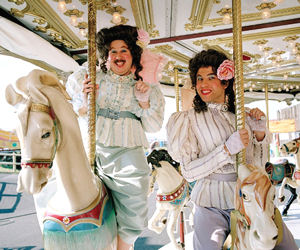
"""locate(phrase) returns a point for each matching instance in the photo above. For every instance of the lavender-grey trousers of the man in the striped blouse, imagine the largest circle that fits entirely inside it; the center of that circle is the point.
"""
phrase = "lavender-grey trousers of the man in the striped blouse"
(215, 222)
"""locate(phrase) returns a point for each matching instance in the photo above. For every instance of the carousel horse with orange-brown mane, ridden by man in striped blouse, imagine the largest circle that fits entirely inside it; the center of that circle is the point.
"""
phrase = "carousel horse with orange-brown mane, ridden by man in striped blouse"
(256, 223)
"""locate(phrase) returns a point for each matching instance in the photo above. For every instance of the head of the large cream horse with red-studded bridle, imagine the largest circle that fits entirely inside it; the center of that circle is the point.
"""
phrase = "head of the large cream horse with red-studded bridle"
(37, 130)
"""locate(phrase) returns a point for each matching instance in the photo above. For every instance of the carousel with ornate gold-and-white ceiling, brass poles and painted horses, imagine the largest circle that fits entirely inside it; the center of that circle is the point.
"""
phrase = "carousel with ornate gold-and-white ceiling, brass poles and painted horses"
(74, 207)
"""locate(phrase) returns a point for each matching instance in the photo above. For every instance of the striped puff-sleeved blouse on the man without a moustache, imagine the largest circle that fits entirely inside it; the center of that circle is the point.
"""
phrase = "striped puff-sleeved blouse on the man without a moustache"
(196, 140)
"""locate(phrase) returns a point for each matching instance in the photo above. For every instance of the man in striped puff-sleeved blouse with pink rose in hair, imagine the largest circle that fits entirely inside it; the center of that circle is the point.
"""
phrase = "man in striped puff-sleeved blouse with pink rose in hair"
(203, 139)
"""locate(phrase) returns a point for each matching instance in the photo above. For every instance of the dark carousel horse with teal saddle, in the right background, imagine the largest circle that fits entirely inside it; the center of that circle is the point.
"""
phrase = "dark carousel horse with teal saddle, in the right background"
(277, 172)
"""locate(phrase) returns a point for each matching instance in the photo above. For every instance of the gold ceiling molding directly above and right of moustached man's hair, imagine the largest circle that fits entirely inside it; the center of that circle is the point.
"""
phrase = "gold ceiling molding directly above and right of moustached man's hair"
(139, 10)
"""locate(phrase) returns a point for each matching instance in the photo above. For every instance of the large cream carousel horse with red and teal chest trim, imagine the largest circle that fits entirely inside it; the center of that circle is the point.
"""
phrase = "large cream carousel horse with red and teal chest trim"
(80, 214)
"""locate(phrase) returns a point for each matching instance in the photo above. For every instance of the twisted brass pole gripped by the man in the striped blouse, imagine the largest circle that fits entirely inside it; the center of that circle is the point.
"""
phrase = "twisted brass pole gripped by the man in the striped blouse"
(238, 72)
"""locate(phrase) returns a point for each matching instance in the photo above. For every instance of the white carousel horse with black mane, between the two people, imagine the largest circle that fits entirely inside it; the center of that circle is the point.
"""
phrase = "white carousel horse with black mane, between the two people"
(172, 195)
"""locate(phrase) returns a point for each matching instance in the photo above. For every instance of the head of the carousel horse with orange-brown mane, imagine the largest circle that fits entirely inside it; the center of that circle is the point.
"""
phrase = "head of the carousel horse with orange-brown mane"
(255, 202)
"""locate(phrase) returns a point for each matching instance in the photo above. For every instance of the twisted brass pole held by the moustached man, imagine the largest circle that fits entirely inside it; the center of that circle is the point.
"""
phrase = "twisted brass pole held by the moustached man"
(92, 74)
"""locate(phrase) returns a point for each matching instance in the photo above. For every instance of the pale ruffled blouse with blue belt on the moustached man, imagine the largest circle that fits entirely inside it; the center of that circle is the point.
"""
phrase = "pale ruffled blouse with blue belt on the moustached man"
(117, 93)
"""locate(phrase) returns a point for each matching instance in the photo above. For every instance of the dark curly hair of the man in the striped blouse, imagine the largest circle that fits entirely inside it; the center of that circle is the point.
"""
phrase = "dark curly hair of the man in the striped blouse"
(205, 59)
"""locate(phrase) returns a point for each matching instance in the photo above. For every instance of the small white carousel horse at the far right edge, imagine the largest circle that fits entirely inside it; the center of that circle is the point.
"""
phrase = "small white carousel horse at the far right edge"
(291, 147)
